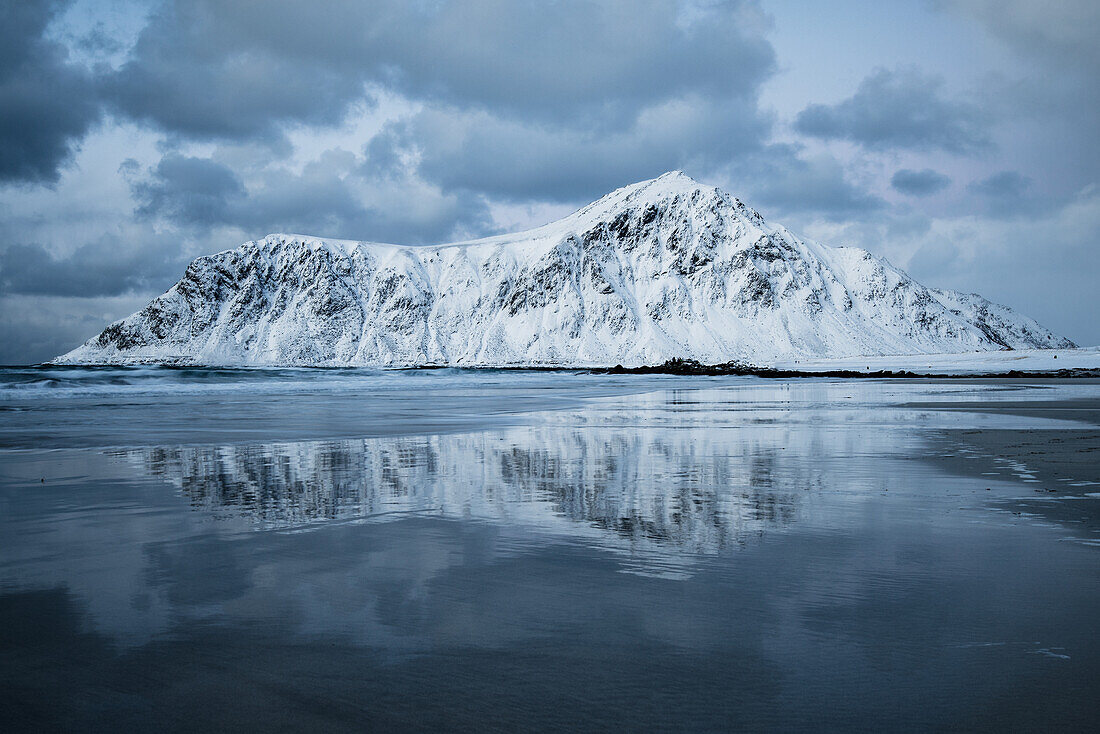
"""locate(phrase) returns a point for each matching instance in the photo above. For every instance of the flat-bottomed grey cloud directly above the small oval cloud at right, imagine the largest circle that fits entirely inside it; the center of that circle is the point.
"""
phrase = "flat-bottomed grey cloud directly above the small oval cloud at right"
(901, 109)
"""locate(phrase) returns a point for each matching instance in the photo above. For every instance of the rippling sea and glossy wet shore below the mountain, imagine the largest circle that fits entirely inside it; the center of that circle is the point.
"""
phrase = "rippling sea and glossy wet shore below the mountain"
(189, 550)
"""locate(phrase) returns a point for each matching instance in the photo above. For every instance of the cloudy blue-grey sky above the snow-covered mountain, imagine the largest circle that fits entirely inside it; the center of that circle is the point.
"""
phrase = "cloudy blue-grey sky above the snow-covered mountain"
(958, 138)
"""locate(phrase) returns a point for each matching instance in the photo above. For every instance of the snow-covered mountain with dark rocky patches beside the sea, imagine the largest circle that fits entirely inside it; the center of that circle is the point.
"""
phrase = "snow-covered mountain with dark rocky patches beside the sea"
(658, 270)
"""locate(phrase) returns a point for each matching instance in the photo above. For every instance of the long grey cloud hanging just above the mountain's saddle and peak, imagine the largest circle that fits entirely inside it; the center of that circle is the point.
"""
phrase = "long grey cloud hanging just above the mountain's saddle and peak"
(512, 160)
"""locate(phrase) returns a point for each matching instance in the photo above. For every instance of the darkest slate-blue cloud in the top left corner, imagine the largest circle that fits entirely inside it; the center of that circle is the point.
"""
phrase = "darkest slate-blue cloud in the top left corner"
(47, 105)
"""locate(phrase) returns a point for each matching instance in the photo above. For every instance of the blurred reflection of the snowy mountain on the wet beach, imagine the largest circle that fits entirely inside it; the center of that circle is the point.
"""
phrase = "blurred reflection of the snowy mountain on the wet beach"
(680, 489)
